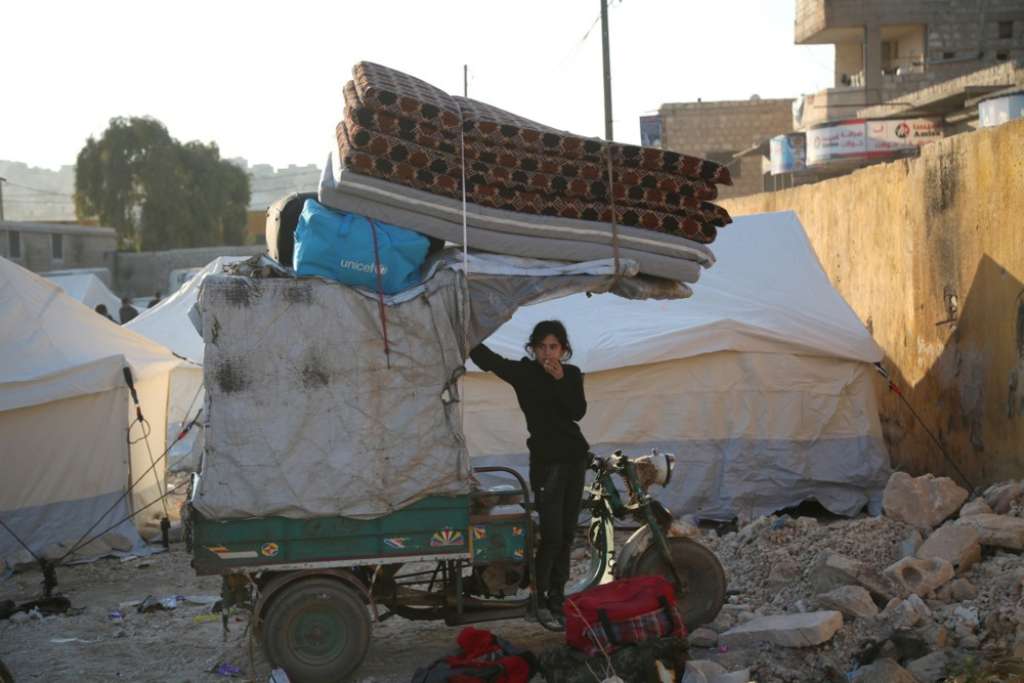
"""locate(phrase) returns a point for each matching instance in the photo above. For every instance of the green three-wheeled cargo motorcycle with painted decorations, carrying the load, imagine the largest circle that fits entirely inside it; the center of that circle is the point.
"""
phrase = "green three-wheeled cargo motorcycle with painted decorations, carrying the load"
(315, 585)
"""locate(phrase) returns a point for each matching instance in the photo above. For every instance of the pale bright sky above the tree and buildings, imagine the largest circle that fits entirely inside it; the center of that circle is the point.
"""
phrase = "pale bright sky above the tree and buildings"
(264, 80)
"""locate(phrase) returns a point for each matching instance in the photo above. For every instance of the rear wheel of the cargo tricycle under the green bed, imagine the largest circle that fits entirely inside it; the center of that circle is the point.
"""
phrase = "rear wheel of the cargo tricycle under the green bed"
(318, 630)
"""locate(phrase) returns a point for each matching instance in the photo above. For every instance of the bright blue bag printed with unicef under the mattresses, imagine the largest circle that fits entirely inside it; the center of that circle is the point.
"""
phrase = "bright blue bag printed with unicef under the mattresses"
(340, 246)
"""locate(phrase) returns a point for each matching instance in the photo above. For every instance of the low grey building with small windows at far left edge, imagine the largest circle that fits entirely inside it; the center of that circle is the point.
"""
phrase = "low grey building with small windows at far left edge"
(44, 247)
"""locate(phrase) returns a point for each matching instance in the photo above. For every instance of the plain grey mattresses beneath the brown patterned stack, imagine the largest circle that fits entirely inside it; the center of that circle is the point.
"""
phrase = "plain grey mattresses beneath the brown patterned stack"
(510, 233)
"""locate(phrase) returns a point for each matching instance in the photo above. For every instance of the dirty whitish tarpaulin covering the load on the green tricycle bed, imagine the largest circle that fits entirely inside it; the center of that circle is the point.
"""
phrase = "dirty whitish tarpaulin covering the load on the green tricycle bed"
(307, 414)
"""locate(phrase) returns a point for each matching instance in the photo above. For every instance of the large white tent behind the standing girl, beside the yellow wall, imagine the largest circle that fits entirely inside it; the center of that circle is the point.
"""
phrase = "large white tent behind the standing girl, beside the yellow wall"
(761, 385)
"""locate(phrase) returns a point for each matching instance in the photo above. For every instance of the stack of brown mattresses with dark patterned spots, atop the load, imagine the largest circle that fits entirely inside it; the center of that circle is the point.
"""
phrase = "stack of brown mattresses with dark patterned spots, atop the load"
(402, 130)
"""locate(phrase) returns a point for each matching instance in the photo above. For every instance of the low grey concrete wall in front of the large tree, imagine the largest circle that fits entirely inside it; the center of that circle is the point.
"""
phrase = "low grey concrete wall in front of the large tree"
(143, 274)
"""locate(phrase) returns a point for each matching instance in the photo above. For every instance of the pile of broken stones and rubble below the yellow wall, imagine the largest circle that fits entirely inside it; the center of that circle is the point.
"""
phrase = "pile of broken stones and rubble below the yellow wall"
(932, 589)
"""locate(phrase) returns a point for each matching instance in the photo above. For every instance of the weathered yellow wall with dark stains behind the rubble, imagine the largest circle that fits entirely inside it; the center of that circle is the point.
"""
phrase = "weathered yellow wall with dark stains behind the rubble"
(903, 242)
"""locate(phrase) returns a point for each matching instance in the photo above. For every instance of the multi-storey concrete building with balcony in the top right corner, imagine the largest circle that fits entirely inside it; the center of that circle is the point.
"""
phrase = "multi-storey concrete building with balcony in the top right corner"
(886, 50)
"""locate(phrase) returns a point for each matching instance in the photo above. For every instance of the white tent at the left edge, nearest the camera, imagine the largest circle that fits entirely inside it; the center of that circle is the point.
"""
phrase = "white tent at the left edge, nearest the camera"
(65, 412)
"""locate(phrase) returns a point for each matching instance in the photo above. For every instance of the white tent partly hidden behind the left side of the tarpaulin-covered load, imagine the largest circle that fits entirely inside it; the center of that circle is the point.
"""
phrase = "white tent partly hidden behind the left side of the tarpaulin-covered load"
(168, 324)
